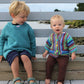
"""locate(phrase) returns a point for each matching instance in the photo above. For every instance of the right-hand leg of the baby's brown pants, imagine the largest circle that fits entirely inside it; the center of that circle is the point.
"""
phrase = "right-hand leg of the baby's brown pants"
(62, 65)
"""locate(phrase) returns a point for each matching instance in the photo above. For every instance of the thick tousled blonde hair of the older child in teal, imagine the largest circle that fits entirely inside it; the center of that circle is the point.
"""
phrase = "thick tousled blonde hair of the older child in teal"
(18, 6)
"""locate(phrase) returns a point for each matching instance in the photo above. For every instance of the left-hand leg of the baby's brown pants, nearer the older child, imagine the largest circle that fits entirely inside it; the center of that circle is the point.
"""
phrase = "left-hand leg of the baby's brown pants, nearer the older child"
(49, 66)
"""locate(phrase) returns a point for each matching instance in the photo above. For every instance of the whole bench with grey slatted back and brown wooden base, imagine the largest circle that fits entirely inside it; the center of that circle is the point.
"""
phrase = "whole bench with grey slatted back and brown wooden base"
(75, 70)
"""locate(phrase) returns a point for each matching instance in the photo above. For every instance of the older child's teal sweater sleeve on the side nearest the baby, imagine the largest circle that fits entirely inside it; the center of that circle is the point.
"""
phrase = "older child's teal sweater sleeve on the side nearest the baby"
(32, 41)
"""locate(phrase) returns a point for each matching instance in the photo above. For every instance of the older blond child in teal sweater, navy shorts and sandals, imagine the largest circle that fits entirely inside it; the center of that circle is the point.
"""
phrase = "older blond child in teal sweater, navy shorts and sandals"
(17, 42)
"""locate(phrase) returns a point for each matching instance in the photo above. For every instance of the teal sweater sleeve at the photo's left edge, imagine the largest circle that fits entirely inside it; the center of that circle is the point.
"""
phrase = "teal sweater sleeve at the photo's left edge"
(2, 41)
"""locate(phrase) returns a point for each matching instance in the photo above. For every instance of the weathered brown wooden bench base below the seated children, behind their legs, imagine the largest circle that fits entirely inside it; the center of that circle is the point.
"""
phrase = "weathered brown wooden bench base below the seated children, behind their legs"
(75, 70)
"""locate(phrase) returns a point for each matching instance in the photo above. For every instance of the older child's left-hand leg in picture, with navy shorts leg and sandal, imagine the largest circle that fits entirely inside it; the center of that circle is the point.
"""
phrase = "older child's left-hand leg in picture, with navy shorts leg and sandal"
(13, 60)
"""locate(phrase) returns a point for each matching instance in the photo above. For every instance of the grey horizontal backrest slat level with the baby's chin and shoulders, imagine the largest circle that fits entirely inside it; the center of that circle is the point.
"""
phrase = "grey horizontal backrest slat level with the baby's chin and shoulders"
(78, 32)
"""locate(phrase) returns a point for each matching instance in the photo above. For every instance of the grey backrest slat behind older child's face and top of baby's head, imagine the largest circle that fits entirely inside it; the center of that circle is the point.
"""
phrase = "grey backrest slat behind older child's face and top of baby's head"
(4, 16)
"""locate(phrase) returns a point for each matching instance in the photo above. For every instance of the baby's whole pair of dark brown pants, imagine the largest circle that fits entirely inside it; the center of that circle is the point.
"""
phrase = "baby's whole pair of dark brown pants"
(62, 65)
